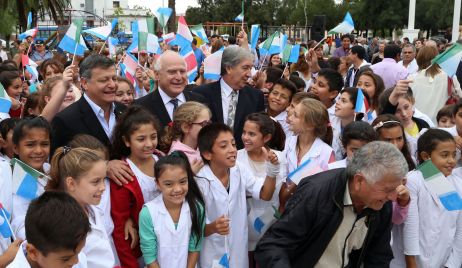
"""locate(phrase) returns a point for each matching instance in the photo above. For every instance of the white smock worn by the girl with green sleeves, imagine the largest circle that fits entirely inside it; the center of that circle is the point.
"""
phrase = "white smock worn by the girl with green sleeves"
(172, 244)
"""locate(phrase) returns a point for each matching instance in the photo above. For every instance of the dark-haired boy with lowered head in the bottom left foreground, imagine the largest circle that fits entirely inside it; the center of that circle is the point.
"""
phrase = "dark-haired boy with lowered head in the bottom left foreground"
(56, 228)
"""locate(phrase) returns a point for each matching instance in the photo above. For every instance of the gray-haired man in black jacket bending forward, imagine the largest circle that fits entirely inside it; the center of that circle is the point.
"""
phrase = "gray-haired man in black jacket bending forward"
(341, 217)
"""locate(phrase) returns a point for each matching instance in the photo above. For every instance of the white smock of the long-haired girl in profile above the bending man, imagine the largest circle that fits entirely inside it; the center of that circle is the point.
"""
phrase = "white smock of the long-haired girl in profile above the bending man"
(319, 154)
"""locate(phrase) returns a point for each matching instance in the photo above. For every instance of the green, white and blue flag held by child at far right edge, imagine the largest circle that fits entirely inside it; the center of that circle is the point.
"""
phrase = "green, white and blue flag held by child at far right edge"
(441, 186)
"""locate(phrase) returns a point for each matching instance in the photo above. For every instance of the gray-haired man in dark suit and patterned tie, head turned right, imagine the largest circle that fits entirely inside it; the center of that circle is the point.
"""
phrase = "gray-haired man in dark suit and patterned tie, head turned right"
(231, 99)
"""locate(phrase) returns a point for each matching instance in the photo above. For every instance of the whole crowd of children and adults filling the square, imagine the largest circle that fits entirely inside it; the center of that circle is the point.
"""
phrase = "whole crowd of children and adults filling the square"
(271, 165)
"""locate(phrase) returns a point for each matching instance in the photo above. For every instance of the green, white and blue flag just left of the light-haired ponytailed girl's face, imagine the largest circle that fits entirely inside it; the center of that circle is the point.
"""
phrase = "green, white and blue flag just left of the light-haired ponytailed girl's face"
(26, 180)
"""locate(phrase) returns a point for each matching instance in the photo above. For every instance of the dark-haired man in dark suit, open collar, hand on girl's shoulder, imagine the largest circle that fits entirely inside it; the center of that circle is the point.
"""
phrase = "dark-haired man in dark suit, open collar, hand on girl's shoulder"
(95, 113)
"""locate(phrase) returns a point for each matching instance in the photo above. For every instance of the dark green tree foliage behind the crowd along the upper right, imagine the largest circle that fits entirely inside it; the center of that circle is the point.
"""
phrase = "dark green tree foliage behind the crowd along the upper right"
(376, 15)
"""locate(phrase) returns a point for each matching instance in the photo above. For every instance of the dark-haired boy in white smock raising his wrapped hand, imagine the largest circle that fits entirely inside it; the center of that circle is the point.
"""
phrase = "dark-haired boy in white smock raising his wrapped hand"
(225, 187)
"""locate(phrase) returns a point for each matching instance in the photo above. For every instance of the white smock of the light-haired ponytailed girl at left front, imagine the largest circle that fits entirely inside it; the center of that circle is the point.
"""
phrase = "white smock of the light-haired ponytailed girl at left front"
(97, 251)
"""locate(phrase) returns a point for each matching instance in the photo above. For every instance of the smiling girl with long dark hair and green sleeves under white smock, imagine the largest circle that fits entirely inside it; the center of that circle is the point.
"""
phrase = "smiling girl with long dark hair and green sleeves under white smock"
(172, 225)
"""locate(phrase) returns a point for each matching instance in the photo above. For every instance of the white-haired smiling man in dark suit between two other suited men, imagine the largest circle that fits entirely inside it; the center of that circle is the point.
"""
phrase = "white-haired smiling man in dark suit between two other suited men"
(171, 76)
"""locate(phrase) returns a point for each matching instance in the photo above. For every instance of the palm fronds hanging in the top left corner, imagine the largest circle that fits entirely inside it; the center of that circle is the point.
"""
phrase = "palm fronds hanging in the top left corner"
(55, 8)
